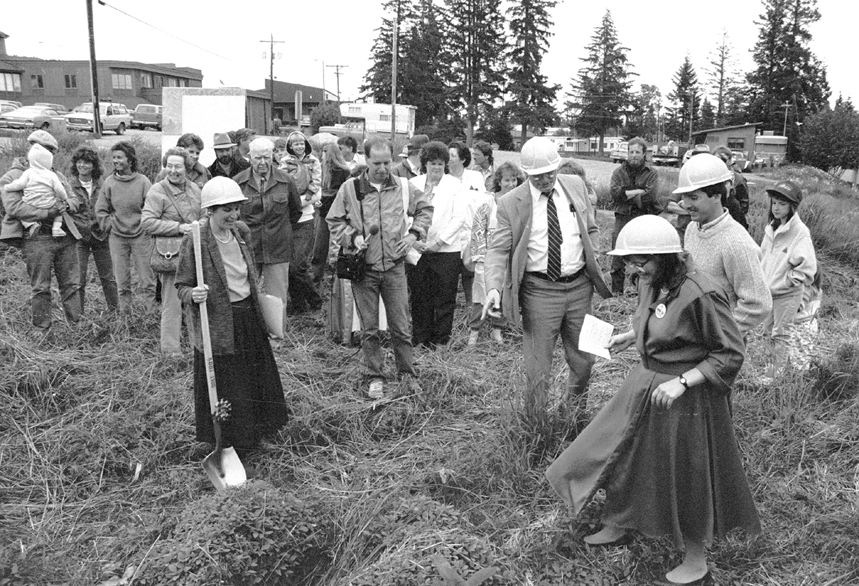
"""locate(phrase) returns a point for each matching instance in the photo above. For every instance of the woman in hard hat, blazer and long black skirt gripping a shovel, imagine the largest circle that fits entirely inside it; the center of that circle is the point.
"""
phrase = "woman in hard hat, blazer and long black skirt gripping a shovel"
(245, 370)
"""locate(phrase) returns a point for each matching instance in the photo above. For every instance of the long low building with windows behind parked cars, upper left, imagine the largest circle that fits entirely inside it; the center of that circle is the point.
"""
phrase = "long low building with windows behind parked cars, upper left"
(69, 82)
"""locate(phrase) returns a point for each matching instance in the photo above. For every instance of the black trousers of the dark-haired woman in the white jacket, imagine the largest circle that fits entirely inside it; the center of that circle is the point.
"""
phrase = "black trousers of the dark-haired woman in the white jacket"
(432, 283)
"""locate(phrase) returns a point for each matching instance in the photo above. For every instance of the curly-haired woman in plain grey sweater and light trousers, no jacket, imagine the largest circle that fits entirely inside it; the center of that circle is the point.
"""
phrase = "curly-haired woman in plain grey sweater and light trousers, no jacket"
(118, 210)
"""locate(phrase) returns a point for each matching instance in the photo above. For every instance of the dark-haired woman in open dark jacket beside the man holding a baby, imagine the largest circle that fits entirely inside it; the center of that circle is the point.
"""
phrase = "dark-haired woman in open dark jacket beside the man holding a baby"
(86, 182)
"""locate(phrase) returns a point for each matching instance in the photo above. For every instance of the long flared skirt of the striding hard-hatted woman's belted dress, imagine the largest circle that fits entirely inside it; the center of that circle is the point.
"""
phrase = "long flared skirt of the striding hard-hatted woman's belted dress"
(666, 472)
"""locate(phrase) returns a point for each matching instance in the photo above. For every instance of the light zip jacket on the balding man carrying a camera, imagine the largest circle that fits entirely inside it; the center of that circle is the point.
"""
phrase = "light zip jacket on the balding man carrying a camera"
(384, 209)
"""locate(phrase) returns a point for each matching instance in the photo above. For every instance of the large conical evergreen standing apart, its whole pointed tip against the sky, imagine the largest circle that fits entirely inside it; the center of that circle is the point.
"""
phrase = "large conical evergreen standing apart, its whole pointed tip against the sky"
(601, 94)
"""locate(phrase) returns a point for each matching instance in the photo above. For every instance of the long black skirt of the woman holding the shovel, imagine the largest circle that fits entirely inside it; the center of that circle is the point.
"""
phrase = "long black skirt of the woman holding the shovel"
(248, 379)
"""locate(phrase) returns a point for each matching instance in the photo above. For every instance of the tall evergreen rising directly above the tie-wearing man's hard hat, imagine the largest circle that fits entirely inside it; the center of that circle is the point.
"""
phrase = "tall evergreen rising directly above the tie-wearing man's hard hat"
(531, 96)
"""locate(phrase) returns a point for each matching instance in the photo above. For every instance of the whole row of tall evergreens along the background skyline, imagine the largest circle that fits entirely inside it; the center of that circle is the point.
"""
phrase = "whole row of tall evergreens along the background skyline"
(473, 68)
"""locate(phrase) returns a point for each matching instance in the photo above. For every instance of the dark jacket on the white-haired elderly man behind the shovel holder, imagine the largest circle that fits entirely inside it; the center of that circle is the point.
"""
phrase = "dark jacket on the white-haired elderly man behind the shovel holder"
(270, 215)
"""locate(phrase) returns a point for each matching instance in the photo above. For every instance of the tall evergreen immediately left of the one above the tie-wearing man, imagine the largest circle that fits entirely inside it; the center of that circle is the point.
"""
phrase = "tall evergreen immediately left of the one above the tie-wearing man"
(476, 36)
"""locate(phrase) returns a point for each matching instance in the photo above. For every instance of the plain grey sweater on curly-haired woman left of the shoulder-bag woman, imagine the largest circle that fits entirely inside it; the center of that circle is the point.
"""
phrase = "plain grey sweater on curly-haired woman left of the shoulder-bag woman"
(120, 203)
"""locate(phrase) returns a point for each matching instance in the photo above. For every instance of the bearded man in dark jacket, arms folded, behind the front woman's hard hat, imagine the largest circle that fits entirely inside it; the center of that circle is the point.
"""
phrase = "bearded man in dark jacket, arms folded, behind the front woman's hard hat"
(633, 191)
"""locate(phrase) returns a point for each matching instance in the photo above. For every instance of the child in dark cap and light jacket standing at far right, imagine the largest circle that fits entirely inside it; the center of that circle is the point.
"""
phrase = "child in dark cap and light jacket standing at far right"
(789, 265)
